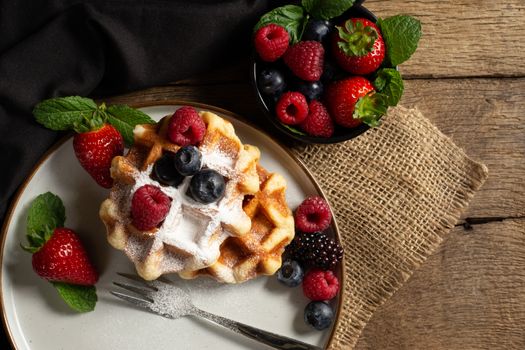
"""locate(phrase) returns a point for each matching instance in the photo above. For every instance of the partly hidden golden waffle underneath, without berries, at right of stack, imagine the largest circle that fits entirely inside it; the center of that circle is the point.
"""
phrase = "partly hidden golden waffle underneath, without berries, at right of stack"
(259, 251)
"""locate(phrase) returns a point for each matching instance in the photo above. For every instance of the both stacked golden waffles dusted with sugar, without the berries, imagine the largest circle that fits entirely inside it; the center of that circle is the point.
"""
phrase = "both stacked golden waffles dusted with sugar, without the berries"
(240, 237)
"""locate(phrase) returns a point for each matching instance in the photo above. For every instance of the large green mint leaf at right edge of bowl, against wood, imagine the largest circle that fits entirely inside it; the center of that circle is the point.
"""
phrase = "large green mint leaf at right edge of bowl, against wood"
(401, 35)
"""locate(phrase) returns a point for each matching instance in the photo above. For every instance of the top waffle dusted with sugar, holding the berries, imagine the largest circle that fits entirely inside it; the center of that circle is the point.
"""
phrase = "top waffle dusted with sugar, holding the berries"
(159, 251)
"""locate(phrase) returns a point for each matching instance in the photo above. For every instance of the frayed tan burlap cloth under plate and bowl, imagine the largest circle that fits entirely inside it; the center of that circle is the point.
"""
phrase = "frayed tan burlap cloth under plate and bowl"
(396, 191)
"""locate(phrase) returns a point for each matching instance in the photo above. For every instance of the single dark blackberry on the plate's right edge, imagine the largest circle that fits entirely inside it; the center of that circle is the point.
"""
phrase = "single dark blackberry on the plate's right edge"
(315, 249)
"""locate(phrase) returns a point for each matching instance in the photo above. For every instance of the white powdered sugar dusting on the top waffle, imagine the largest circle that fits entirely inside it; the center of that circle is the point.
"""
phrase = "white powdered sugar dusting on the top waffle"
(189, 225)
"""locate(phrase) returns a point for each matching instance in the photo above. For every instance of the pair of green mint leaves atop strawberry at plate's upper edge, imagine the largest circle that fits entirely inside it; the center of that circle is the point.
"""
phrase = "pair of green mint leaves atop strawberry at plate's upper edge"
(83, 114)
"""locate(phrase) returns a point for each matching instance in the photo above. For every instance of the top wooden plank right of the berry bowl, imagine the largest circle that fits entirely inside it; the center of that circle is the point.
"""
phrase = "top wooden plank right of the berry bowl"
(464, 38)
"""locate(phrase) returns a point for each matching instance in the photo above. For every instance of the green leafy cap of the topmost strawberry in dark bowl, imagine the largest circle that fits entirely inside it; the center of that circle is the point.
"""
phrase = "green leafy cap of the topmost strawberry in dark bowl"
(356, 38)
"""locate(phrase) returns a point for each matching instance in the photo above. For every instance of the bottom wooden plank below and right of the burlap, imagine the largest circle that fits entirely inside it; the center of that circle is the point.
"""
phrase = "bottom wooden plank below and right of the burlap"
(469, 295)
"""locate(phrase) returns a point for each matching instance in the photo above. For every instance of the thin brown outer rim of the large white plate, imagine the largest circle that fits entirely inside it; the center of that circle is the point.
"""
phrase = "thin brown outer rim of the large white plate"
(145, 104)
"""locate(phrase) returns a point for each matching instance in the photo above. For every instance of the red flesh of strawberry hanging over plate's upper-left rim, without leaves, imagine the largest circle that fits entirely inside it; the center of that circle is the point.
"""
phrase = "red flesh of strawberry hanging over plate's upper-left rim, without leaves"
(96, 149)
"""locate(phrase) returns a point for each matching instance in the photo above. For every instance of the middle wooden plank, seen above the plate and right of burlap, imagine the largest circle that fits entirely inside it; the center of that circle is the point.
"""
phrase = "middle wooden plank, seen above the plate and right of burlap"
(483, 116)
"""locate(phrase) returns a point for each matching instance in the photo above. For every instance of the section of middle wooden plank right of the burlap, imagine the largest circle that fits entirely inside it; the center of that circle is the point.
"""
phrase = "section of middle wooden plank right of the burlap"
(485, 117)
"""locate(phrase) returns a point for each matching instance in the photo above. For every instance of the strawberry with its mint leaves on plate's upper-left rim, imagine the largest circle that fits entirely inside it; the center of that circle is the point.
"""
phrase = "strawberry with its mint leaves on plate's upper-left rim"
(101, 131)
